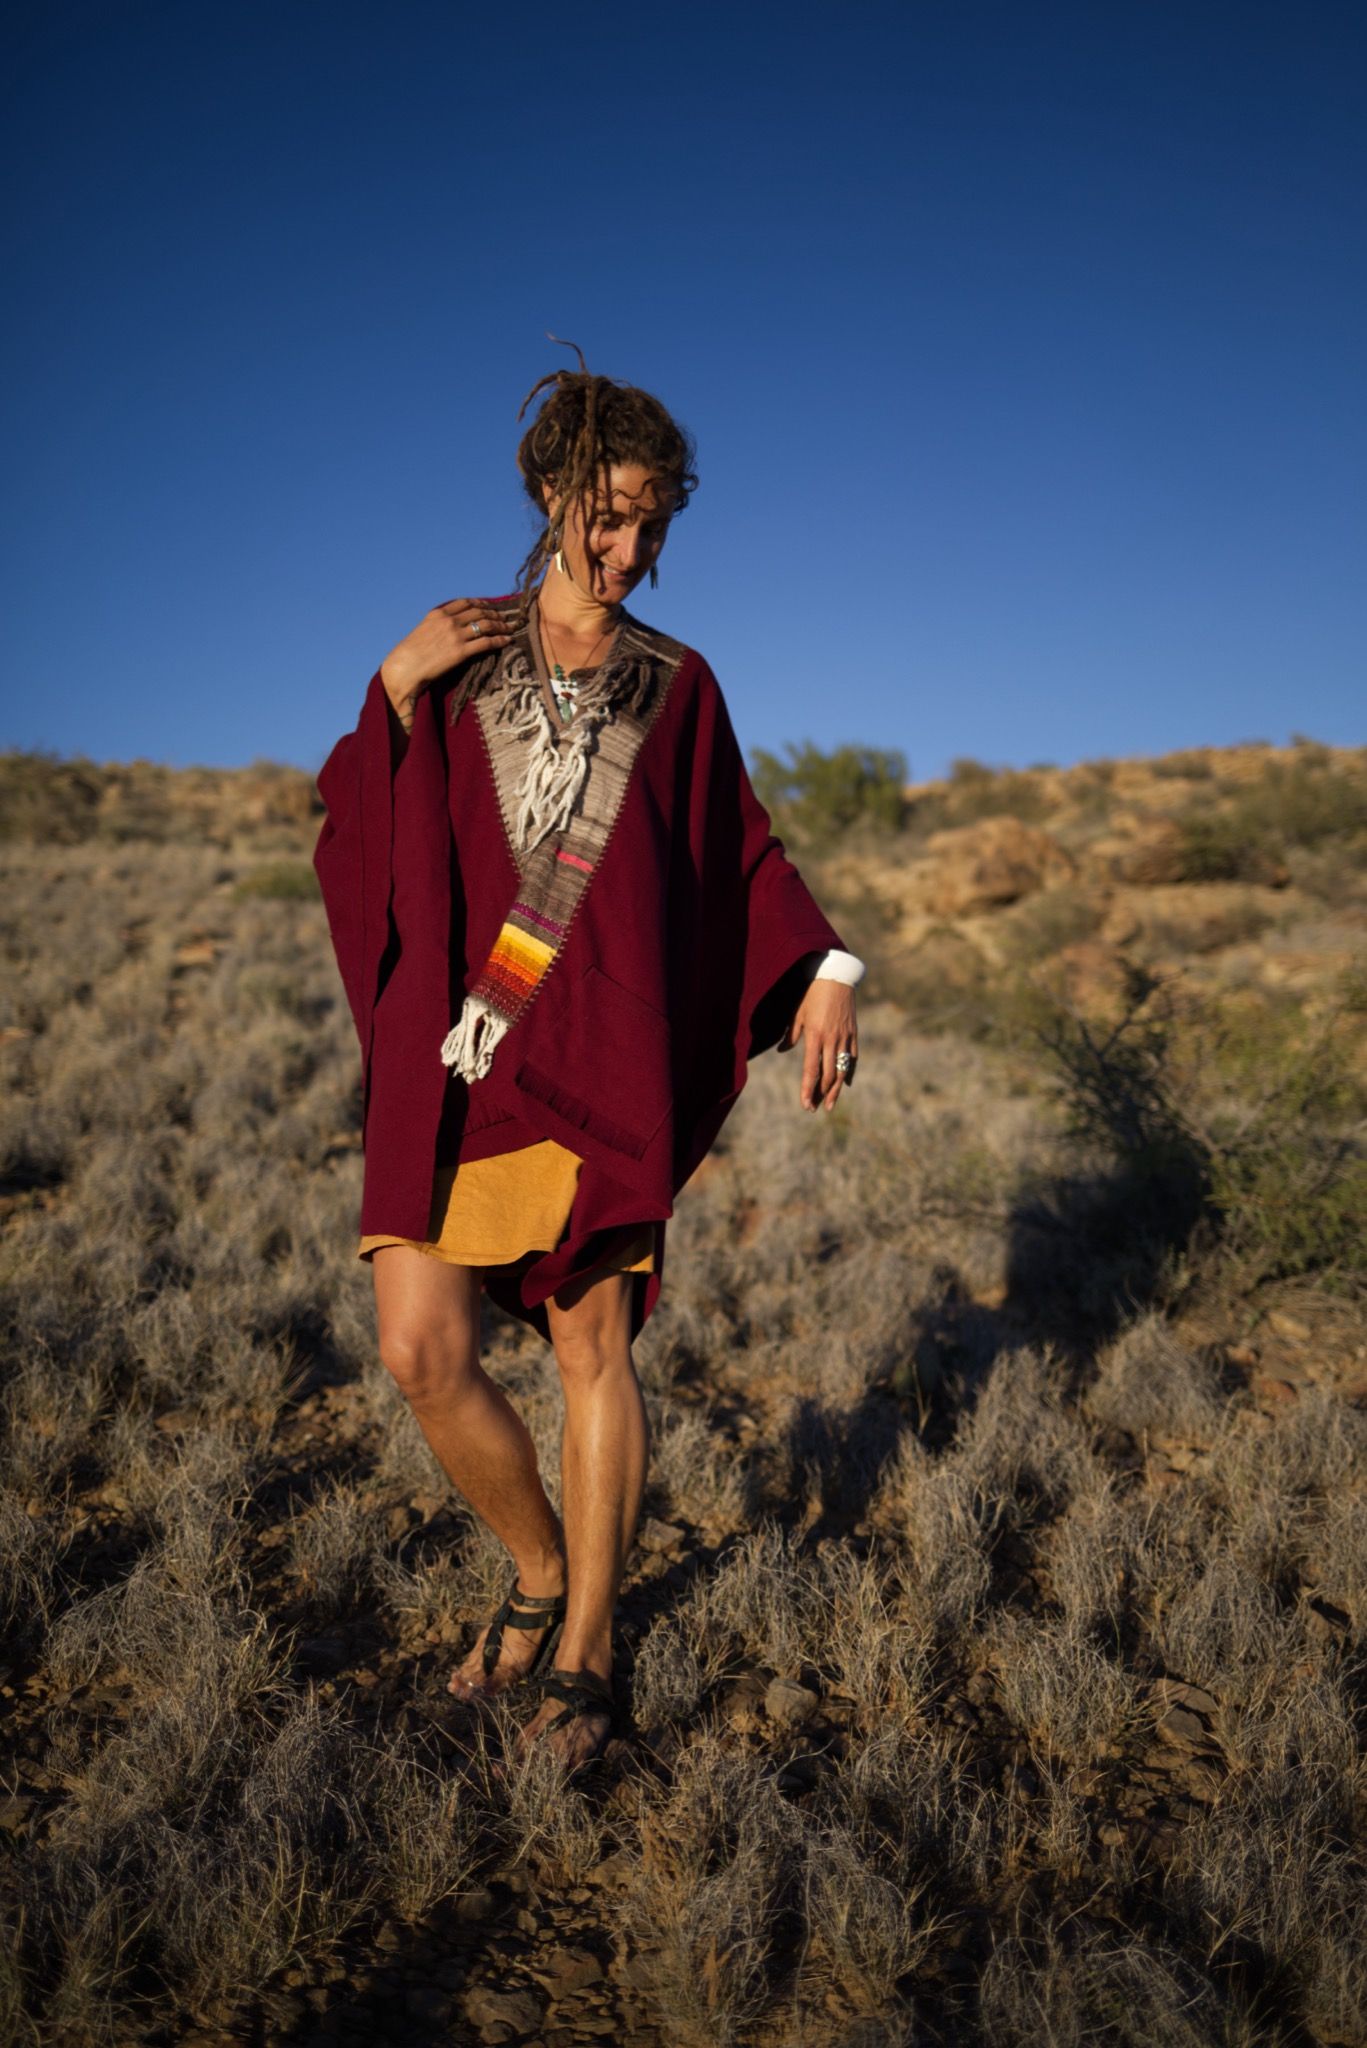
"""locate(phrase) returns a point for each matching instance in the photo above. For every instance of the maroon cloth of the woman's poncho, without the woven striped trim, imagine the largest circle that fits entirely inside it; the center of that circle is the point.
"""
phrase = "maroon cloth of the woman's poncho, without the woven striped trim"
(681, 966)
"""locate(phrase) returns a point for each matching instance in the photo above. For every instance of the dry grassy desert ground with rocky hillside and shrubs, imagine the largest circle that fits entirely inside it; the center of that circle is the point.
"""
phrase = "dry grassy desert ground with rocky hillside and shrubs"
(995, 1635)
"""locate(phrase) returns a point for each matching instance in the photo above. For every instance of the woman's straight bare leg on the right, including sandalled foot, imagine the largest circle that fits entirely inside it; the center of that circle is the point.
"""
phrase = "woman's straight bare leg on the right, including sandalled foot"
(606, 1453)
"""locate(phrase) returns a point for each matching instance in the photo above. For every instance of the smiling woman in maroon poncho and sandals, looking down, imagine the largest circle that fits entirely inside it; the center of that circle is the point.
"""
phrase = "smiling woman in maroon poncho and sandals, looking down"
(565, 929)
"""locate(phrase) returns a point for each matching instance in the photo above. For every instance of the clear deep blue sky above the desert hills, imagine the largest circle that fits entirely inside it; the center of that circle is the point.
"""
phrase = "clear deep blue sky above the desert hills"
(1024, 347)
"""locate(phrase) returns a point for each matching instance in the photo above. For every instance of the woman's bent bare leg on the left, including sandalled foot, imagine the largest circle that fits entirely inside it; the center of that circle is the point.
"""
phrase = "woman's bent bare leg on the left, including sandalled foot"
(429, 1338)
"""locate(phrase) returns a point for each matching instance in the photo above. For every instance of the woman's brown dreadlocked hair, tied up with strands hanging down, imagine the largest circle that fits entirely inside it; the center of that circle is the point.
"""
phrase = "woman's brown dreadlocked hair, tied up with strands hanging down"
(583, 427)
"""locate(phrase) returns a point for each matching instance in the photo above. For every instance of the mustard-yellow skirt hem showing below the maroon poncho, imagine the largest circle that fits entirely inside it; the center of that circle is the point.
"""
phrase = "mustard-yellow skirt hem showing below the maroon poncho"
(495, 1211)
